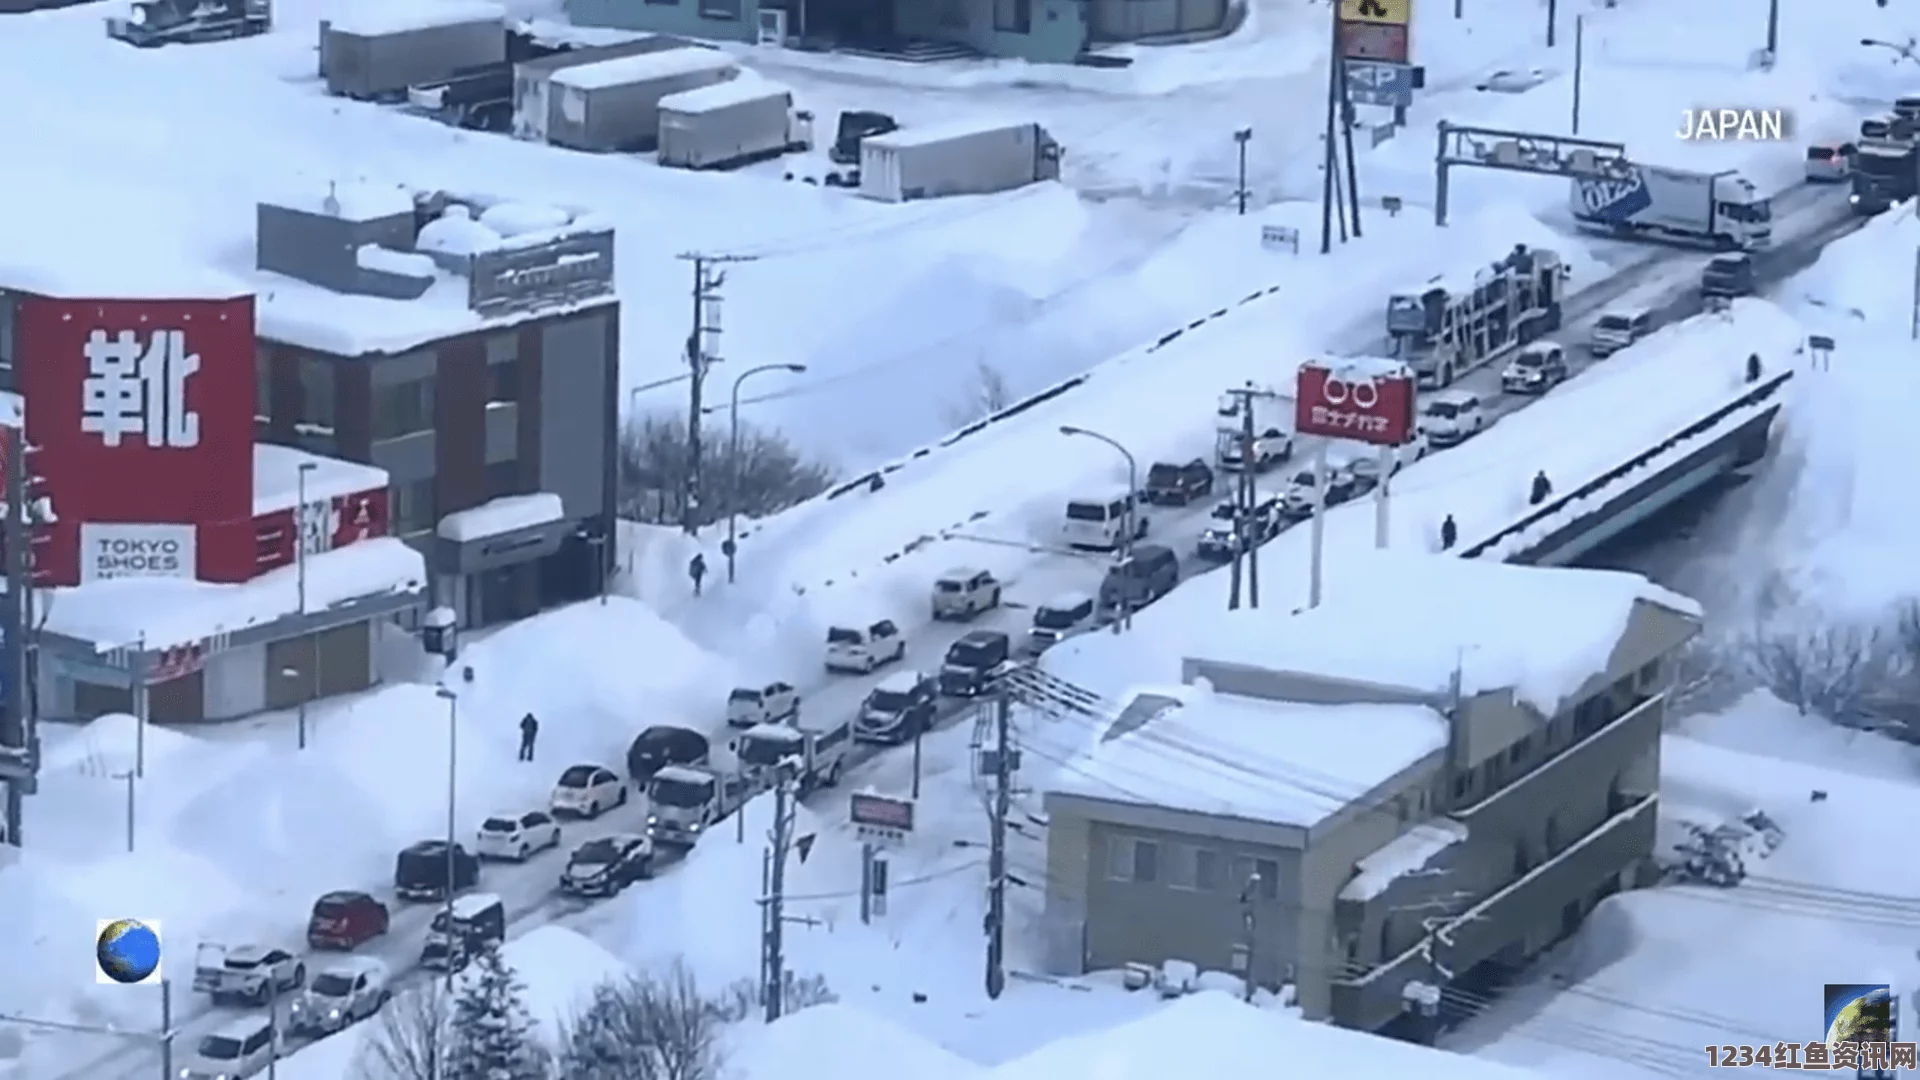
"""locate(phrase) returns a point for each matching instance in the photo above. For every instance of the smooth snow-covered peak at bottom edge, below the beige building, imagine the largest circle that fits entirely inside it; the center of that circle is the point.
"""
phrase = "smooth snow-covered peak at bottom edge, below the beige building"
(1218, 1035)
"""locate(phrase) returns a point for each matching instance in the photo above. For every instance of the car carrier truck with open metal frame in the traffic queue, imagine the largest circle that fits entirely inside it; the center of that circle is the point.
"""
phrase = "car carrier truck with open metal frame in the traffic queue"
(1451, 328)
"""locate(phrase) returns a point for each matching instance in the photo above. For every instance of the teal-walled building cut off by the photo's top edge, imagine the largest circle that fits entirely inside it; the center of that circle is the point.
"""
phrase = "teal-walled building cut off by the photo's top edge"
(1044, 32)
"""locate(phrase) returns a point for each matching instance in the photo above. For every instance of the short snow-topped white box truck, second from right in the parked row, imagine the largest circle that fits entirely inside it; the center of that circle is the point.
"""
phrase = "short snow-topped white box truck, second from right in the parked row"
(732, 124)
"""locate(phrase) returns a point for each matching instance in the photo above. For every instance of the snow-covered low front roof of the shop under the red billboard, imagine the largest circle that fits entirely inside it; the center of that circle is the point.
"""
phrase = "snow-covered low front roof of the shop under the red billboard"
(174, 612)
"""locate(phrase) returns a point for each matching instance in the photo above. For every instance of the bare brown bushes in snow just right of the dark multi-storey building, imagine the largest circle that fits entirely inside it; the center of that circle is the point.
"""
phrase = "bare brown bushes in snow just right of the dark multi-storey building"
(765, 474)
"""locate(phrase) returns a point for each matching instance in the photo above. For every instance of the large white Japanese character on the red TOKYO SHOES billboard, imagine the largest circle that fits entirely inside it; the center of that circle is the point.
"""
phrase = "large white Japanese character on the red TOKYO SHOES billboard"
(139, 389)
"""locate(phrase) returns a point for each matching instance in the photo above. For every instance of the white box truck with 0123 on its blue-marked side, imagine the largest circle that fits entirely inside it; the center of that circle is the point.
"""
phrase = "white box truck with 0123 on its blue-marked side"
(1721, 210)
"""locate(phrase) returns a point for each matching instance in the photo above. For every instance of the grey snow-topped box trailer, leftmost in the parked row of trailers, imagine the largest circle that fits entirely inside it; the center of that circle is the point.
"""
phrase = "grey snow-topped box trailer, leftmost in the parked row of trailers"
(377, 53)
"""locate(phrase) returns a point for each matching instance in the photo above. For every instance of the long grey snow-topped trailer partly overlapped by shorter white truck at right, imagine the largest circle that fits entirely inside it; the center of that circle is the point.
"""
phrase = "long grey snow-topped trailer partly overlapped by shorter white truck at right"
(615, 105)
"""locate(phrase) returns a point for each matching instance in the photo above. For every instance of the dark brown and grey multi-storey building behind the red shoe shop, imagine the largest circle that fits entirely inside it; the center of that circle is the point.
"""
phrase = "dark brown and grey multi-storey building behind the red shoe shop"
(500, 424)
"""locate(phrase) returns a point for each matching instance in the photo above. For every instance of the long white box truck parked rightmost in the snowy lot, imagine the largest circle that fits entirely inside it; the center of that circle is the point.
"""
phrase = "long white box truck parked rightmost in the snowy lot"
(967, 159)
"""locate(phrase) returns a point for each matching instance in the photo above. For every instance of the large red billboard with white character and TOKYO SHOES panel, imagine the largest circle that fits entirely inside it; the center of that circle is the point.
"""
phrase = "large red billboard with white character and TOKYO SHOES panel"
(141, 414)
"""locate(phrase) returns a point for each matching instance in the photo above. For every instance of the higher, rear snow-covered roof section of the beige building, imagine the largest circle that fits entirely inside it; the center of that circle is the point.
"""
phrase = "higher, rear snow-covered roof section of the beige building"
(1414, 620)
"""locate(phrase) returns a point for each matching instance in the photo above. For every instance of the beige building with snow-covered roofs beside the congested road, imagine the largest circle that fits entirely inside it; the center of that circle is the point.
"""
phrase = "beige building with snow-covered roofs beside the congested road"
(1426, 781)
